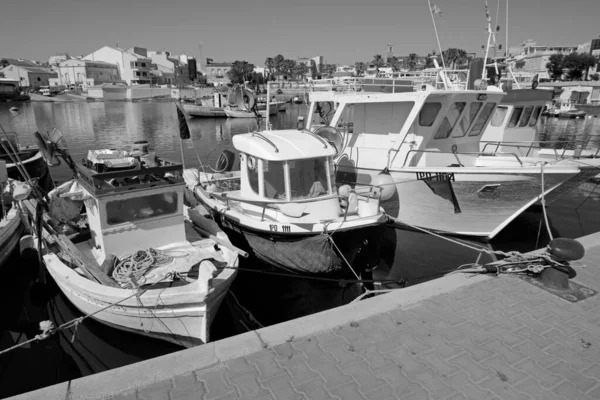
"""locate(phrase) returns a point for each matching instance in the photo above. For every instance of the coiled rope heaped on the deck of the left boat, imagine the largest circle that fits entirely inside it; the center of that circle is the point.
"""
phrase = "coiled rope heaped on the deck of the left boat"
(138, 264)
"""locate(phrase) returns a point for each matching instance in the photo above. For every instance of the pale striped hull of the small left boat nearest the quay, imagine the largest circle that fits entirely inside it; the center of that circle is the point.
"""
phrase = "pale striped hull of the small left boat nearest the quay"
(178, 314)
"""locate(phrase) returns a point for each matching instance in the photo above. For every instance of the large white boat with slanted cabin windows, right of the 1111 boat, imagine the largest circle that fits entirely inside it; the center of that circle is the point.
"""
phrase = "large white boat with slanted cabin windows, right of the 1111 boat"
(424, 145)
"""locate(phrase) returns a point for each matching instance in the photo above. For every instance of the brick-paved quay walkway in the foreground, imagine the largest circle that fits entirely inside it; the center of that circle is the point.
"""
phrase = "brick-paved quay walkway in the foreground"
(498, 338)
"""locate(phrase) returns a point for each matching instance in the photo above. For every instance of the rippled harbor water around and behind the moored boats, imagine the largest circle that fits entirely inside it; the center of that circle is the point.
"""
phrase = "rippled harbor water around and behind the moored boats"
(409, 257)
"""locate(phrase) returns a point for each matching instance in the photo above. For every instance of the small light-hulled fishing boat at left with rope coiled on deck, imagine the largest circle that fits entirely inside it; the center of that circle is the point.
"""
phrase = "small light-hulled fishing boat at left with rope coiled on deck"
(126, 259)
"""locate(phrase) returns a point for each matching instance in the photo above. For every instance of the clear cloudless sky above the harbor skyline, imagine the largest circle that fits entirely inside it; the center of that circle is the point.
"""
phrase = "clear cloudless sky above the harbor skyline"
(342, 31)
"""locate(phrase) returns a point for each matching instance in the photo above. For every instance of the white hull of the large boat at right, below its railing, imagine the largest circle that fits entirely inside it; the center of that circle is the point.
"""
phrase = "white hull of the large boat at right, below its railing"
(463, 204)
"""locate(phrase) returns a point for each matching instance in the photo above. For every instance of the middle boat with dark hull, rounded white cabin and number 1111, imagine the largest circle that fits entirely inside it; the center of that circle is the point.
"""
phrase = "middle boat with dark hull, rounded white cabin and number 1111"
(282, 205)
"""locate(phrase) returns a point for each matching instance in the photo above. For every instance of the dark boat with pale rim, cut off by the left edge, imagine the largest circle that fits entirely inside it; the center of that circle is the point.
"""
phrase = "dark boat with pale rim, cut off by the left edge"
(29, 156)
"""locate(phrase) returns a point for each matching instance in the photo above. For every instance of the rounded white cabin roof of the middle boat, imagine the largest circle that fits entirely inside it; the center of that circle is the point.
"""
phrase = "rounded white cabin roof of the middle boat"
(290, 144)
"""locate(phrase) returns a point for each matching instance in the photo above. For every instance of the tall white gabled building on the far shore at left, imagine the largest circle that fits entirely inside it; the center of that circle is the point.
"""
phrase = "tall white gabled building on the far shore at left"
(134, 64)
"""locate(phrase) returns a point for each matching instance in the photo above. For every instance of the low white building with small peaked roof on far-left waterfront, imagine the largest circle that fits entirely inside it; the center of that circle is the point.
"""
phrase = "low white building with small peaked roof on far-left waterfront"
(84, 73)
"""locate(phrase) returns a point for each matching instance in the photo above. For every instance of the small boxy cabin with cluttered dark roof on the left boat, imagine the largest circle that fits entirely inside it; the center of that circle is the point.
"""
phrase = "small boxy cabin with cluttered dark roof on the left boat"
(135, 200)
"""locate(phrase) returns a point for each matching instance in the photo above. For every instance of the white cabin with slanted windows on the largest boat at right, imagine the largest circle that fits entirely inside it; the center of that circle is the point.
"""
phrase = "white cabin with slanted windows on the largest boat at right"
(427, 128)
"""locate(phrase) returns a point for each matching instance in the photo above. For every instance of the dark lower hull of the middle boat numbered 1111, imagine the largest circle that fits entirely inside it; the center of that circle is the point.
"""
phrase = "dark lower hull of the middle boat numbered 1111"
(309, 254)
